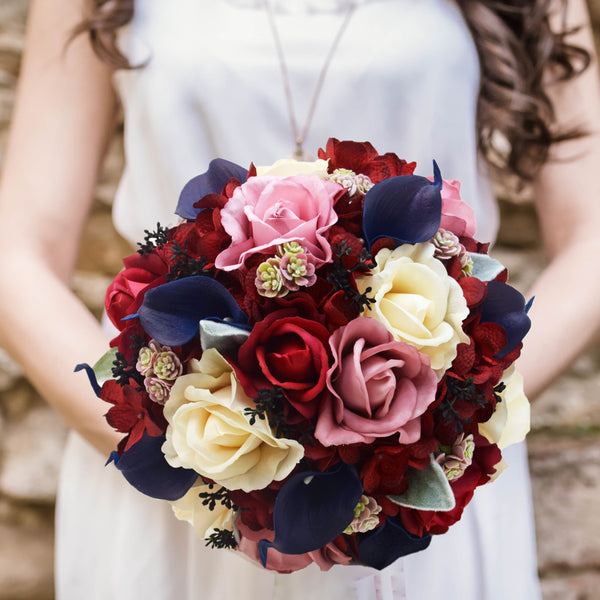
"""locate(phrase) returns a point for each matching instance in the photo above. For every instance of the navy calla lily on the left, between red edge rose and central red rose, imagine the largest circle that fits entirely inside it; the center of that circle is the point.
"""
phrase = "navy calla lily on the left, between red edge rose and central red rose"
(171, 313)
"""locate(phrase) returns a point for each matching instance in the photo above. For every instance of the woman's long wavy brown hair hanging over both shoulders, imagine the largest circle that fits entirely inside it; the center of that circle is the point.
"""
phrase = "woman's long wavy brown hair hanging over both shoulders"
(517, 49)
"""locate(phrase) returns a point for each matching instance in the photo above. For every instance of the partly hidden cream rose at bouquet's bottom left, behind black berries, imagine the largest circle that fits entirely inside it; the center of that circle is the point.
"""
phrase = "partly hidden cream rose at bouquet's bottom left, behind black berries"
(190, 508)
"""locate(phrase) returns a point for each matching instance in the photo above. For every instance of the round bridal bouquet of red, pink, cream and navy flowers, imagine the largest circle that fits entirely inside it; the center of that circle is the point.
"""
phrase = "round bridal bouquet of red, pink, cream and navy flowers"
(314, 365)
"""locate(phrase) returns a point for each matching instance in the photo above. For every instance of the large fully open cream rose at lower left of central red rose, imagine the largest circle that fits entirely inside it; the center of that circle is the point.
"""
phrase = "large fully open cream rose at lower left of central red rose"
(209, 433)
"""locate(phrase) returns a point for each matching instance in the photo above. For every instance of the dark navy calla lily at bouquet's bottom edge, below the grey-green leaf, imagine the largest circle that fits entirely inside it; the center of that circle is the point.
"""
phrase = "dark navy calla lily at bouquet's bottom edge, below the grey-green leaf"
(388, 543)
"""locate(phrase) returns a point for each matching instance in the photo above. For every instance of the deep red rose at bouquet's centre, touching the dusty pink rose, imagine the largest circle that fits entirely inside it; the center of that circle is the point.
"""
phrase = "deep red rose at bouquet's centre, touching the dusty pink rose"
(290, 352)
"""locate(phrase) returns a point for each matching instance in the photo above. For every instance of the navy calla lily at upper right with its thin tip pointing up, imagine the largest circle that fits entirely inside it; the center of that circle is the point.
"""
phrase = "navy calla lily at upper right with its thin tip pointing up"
(407, 208)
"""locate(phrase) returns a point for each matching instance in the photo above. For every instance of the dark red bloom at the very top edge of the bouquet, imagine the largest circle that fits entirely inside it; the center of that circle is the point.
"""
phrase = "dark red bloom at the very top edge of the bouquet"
(363, 159)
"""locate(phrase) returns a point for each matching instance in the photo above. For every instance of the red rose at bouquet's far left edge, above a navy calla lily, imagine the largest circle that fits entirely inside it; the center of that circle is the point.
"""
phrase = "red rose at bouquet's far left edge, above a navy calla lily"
(125, 293)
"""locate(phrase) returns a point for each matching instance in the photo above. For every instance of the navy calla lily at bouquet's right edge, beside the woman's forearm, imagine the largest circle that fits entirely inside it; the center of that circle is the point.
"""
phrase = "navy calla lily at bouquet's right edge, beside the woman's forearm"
(506, 306)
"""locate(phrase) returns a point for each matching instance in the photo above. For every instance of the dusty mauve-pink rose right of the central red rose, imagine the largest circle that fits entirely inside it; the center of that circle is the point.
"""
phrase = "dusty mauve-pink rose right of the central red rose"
(379, 386)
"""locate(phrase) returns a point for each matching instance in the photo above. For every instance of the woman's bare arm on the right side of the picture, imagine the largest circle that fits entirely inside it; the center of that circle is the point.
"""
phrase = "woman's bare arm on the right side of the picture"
(566, 311)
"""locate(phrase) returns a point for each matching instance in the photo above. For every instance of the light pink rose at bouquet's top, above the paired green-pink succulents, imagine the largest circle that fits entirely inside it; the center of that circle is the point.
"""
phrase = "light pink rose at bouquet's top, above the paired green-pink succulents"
(268, 211)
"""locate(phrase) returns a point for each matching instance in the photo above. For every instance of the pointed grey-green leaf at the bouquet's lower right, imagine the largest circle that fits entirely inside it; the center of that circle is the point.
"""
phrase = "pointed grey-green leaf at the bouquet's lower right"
(427, 490)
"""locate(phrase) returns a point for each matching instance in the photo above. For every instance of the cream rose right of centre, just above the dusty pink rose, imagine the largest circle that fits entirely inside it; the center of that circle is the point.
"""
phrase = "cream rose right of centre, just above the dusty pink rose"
(417, 301)
